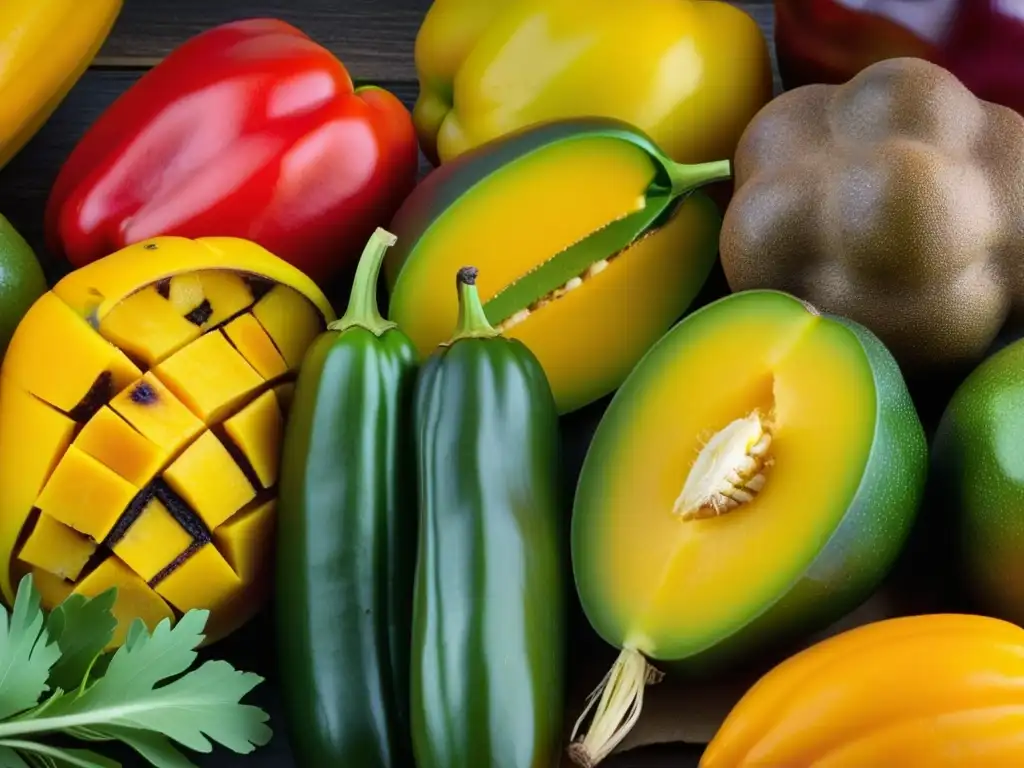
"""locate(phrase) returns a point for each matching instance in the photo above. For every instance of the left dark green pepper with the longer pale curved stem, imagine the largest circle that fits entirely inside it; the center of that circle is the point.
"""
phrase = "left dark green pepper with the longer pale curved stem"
(347, 539)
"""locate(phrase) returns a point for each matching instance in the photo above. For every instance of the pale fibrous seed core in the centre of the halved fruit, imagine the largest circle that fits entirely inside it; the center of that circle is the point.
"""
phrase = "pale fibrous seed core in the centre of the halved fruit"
(730, 471)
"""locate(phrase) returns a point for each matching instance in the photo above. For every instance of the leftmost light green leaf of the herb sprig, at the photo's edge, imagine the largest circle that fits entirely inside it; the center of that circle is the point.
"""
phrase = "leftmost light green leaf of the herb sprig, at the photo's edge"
(27, 654)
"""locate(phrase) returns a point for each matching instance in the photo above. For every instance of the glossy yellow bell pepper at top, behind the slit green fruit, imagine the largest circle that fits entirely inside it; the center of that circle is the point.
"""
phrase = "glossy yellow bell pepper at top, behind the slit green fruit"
(690, 73)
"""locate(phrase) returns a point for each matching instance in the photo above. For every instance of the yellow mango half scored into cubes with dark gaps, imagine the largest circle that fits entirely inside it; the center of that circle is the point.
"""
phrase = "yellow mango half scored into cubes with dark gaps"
(142, 407)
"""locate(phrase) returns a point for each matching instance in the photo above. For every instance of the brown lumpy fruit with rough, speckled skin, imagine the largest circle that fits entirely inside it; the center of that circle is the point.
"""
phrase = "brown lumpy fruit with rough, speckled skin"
(897, 200)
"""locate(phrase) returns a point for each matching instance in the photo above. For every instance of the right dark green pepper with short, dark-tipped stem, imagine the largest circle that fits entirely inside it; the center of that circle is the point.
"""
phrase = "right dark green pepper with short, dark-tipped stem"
(489, 634)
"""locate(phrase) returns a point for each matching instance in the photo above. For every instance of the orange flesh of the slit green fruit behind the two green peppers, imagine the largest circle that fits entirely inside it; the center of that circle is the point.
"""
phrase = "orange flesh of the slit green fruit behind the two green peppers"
(523, 215)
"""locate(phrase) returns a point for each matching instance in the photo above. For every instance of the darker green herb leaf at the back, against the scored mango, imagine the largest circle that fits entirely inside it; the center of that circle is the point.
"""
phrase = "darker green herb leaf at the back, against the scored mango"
(82, 627)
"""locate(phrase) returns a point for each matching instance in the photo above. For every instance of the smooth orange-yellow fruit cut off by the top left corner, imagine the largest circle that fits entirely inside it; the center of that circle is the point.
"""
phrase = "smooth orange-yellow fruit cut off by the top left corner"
(46, 48)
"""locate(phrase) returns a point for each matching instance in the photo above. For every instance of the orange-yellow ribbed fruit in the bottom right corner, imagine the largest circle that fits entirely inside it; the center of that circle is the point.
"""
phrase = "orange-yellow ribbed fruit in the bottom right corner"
(928, 692)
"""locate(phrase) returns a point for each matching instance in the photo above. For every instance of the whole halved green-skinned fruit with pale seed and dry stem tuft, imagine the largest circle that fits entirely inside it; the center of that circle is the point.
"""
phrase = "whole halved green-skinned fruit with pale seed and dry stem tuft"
(754, 480)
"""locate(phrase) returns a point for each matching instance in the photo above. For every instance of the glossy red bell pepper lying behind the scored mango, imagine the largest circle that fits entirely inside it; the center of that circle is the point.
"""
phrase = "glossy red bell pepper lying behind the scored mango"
(249, 130)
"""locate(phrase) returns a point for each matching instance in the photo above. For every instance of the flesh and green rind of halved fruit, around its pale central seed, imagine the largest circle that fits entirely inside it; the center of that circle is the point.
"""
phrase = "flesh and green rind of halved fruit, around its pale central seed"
(618, 523)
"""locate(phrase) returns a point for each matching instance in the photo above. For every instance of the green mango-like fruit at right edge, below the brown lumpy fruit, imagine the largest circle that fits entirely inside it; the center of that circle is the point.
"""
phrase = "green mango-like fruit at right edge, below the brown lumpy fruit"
(977, 482)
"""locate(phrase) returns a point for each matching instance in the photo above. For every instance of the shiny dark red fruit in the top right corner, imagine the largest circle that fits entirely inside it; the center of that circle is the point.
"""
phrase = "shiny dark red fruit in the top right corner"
(980, 41)
